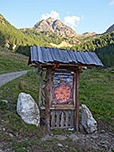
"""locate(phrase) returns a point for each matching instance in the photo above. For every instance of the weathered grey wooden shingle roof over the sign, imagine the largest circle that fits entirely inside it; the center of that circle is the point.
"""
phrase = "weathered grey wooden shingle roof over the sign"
(54, 55)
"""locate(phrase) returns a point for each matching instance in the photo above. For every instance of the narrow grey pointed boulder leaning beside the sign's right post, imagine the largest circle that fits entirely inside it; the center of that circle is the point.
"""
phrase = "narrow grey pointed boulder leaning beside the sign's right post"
(87, 121)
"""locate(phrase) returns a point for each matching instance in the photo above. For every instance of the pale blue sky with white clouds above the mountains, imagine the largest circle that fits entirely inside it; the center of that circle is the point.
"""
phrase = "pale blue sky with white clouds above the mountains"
(81, 15)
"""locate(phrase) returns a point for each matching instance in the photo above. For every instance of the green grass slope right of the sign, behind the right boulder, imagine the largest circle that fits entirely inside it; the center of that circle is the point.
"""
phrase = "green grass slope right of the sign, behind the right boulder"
(97, 92)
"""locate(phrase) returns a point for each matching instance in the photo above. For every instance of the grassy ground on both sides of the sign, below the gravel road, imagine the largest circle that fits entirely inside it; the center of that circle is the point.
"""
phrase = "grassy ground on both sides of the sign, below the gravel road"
(96, 91)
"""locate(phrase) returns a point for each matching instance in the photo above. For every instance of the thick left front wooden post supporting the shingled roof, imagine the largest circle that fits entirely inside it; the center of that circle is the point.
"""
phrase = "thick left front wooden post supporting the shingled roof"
(48, 97)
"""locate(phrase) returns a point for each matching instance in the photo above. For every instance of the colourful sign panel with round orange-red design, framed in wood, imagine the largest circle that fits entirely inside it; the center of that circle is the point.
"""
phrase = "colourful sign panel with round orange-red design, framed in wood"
(62, 88)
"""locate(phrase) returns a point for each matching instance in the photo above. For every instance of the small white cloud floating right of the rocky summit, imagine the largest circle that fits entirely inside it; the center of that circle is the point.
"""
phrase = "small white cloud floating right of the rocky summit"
(72, 21)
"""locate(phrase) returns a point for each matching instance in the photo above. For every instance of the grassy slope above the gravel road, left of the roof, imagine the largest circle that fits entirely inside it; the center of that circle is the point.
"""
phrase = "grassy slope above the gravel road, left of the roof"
(12, 62)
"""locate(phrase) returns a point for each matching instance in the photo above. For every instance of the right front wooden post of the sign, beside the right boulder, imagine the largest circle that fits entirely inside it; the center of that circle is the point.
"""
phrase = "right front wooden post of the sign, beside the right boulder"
(77, 101)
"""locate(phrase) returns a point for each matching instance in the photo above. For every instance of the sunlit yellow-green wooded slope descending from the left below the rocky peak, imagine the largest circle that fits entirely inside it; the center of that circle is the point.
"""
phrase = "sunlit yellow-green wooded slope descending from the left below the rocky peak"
(13, 38)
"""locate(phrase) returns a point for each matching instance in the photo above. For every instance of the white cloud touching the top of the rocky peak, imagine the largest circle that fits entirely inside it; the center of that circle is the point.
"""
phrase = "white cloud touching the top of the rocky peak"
(53, 14)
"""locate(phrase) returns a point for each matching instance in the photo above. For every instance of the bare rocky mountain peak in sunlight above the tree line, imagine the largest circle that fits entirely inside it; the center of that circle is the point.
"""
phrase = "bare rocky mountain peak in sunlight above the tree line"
(56, 26)
